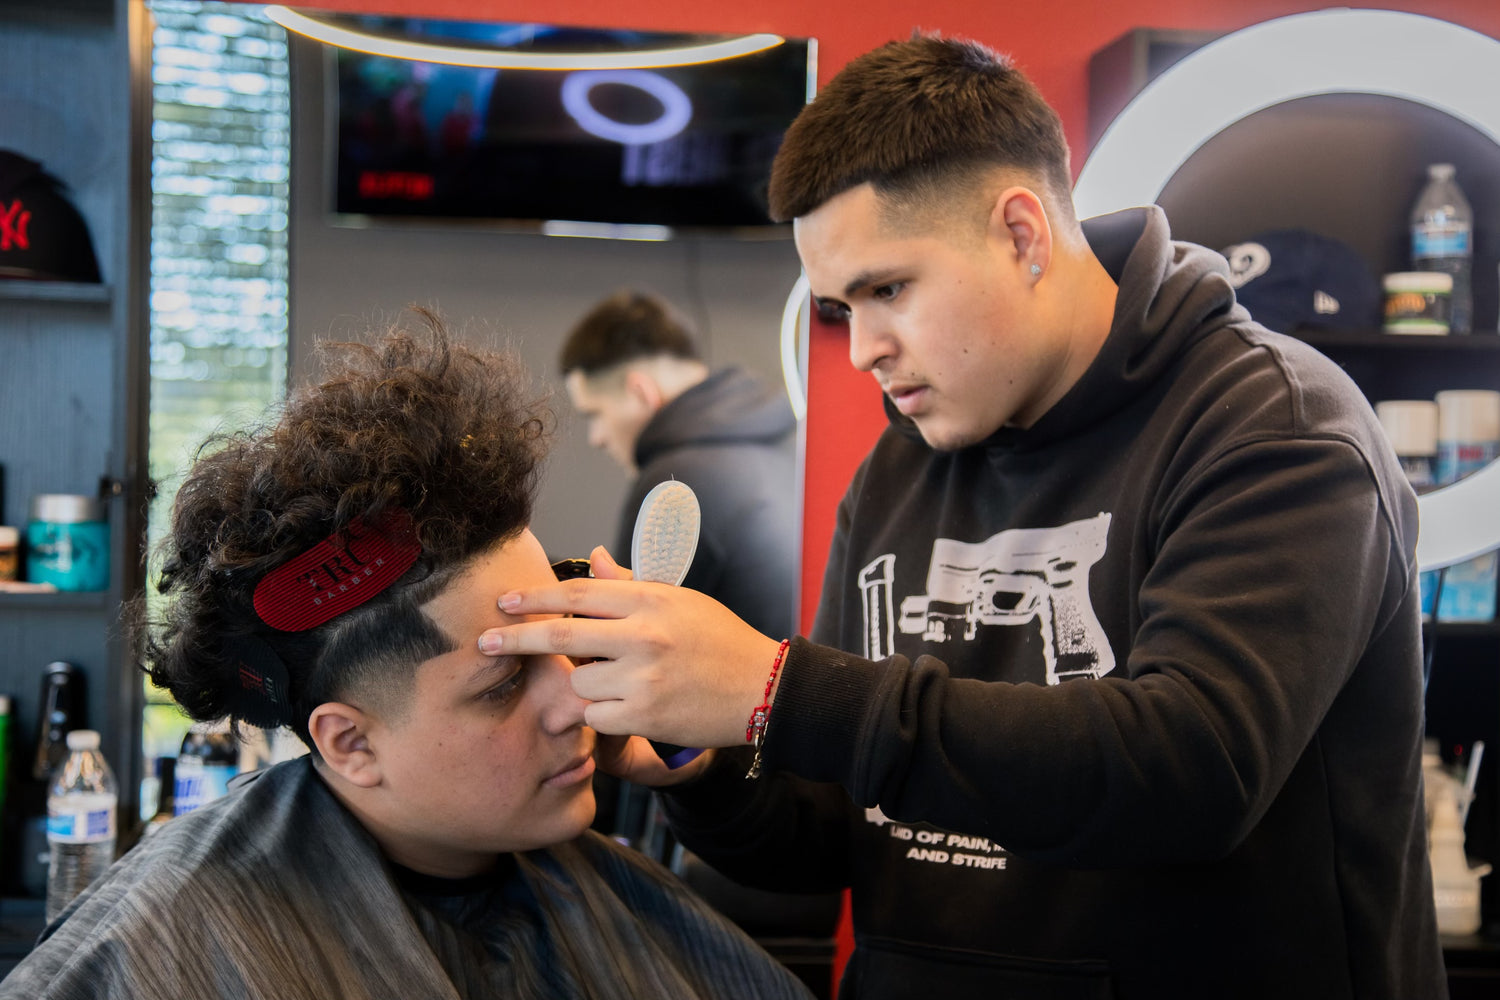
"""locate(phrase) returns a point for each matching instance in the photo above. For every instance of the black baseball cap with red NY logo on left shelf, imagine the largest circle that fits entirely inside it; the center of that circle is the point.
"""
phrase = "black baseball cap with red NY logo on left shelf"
(43, 238)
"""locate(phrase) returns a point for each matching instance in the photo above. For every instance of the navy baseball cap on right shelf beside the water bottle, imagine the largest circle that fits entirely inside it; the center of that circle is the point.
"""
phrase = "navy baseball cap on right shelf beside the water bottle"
(1295, 280)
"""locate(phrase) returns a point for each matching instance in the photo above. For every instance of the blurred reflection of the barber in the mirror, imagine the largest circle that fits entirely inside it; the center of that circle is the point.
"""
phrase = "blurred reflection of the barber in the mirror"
(634, 371)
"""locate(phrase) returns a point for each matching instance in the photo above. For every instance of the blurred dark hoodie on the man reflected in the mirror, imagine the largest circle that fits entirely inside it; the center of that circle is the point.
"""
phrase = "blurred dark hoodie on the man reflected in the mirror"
(731, 439)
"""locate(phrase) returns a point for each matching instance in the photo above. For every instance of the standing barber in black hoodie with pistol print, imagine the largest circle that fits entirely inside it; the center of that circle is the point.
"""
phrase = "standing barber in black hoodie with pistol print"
(1115, 686)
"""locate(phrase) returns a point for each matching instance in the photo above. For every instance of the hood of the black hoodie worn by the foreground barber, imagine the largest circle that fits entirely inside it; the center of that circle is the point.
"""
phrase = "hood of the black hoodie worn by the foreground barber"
(1171, 295)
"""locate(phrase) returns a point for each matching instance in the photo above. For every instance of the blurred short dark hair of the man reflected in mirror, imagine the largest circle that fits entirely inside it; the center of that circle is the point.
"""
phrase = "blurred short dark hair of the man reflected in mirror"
(629, 326)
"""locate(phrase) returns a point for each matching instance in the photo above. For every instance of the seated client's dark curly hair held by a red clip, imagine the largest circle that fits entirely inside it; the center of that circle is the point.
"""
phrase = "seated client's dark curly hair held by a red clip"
(443, 433)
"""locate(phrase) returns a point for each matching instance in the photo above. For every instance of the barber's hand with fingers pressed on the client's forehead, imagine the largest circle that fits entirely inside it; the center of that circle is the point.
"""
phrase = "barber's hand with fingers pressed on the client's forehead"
(670, 663)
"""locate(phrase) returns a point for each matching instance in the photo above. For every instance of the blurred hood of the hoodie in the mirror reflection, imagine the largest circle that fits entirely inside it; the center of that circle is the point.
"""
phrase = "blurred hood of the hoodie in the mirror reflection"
(730, 407)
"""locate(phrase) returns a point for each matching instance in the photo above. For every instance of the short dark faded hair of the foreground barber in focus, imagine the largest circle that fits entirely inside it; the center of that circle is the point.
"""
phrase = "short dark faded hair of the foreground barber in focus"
(919, 119)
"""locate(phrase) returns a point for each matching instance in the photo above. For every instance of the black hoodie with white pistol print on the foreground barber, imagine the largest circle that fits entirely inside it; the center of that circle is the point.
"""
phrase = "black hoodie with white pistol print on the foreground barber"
(1132, 704)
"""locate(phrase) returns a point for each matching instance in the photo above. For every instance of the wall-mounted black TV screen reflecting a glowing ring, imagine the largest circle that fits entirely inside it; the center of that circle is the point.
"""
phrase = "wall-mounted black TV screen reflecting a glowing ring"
(686, 148)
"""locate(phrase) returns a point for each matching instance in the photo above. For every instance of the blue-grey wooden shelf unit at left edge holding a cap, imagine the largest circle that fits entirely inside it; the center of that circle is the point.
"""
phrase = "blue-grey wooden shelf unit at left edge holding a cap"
(74, 371)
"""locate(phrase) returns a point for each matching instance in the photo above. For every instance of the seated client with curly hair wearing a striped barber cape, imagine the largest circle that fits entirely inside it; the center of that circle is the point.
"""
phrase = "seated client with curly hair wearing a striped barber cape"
(332, 573)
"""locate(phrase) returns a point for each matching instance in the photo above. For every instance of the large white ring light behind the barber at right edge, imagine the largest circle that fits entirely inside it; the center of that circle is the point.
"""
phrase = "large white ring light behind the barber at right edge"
(1301, 56)
